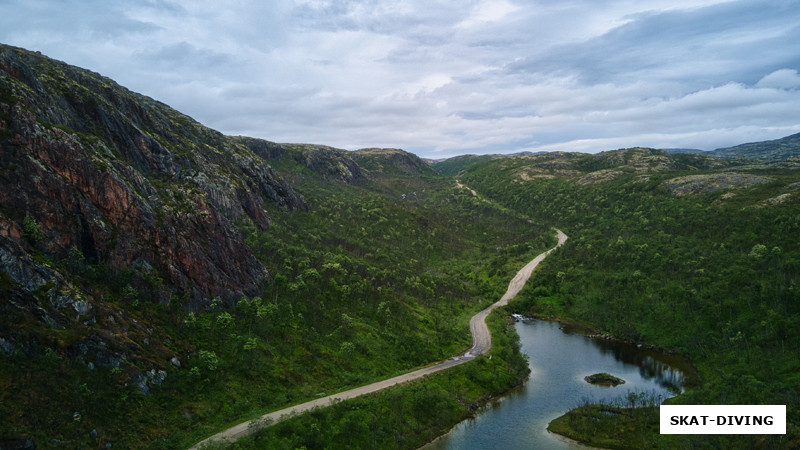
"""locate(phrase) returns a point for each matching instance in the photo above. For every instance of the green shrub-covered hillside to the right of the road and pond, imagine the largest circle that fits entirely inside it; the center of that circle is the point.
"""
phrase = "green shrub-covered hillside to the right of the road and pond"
(673, 252)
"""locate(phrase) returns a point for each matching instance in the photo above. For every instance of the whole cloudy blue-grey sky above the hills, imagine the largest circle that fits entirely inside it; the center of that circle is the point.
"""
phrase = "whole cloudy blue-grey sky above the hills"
(439, 77)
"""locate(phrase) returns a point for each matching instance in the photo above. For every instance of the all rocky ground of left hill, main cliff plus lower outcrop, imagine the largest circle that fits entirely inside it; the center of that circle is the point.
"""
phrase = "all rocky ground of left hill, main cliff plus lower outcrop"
(107, 193)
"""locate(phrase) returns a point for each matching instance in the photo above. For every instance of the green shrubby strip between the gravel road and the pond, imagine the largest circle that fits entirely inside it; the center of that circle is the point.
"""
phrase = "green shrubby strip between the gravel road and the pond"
(407, 416)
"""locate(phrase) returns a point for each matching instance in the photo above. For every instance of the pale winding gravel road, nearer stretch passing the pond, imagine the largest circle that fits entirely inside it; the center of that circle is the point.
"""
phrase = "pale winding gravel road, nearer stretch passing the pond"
(481, 343)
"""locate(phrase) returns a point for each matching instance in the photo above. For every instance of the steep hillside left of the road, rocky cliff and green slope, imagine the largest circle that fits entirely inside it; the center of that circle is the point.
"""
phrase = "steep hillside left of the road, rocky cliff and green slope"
(159, 280)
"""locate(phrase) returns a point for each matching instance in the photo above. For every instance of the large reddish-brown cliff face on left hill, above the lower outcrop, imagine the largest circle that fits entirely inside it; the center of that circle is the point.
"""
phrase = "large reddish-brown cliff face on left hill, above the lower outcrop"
(129, 182)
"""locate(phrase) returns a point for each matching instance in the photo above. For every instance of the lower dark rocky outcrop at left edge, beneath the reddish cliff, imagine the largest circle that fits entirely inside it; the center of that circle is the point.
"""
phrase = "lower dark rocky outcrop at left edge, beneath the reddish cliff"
(102, 334)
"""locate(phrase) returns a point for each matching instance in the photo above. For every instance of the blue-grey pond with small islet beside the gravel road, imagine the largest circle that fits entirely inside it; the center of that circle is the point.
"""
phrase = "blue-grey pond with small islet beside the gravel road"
(558, 362)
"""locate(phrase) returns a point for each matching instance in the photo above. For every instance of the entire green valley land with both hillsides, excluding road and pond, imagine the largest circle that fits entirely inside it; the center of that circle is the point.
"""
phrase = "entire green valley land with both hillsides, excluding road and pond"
(161, 282)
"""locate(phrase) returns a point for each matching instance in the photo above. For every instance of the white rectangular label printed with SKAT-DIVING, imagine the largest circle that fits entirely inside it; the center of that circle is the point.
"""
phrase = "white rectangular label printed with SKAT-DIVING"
(723, 419)
